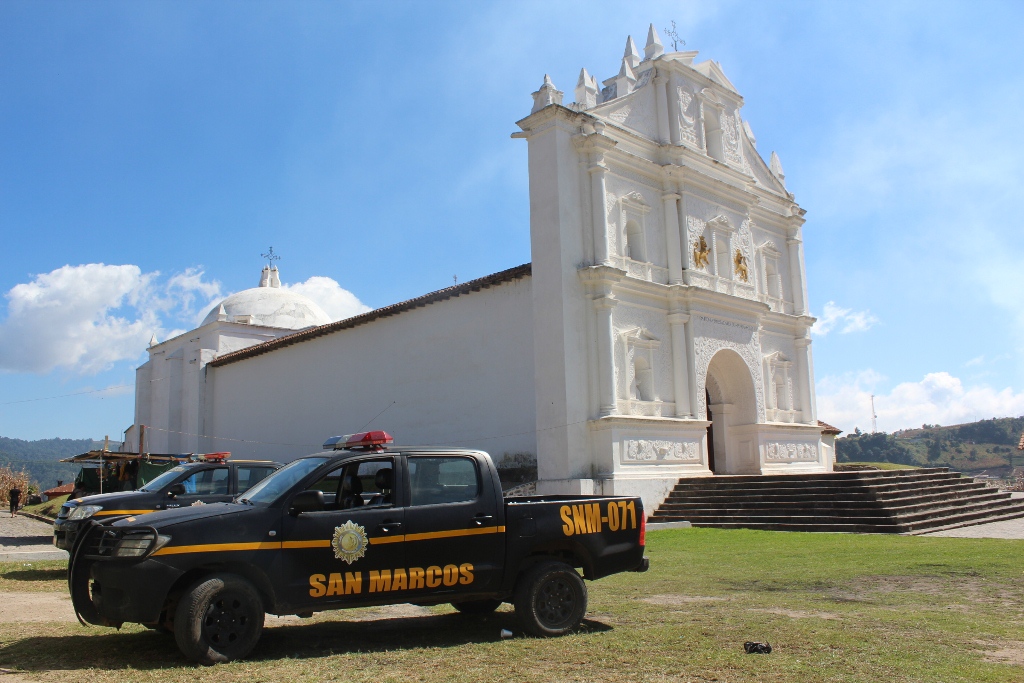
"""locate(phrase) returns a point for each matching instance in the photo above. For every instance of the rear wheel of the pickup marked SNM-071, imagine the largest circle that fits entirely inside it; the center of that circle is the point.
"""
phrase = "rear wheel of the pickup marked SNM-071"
(550, 601)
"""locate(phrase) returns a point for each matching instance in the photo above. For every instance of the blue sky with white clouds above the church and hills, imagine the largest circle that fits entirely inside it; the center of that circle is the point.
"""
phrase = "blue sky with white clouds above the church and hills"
(151, 153)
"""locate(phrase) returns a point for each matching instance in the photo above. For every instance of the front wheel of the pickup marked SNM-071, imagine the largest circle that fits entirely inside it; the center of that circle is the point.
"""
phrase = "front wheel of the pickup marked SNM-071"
(220, 619)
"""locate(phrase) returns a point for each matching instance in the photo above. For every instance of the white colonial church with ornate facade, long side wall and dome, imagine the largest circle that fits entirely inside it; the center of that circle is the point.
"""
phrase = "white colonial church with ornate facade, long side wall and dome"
(661, 330)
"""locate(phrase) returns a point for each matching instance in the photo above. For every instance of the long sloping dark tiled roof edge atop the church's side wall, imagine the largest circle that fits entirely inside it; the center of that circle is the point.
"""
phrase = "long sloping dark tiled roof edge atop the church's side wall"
(396, 309)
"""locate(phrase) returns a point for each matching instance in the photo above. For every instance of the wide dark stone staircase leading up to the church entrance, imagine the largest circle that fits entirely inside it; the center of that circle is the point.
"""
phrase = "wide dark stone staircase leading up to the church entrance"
(875, 502)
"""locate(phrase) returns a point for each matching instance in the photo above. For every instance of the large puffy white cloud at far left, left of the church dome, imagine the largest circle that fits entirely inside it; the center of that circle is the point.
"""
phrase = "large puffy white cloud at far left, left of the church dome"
(88, 318)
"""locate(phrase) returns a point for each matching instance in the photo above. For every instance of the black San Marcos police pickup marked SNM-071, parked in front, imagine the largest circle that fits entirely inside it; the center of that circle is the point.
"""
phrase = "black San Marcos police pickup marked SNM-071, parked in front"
(358, 525)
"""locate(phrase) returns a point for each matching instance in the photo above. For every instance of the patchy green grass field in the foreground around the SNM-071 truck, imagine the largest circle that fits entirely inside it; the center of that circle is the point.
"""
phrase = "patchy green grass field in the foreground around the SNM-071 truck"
(836, 608)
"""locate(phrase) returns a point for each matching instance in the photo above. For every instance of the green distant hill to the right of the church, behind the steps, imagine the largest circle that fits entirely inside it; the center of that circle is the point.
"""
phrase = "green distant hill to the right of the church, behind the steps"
(988, 445)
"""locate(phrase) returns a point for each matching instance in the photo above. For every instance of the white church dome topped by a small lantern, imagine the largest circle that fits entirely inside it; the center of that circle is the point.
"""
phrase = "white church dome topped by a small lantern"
(270, 306)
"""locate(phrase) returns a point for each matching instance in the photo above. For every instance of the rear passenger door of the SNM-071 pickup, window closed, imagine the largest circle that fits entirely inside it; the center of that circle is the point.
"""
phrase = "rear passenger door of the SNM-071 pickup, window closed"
(452, 526)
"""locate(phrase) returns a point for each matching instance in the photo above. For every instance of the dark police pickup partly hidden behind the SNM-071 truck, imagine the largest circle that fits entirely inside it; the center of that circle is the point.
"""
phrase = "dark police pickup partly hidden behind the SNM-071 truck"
(214, 479)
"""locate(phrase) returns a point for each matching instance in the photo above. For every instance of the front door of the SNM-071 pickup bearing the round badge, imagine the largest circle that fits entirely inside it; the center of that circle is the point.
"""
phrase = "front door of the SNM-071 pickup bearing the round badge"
(351, 550)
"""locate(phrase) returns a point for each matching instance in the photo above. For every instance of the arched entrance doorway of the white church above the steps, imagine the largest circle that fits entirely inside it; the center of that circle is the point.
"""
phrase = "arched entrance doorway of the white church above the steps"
(732, 405)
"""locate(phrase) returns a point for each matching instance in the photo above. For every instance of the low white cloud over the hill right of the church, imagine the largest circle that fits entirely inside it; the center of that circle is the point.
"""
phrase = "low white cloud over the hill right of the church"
(938, 399)
